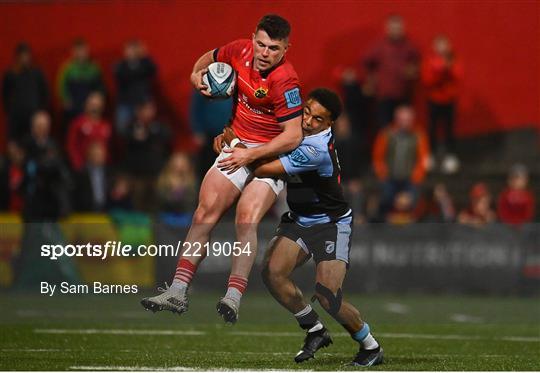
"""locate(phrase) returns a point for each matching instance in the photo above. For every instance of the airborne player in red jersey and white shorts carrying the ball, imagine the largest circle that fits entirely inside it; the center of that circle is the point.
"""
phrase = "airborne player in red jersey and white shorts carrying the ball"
(267, 118)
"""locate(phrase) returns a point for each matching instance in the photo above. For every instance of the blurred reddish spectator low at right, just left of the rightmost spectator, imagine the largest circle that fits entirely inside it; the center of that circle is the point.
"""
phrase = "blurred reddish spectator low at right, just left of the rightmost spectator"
(479, 212)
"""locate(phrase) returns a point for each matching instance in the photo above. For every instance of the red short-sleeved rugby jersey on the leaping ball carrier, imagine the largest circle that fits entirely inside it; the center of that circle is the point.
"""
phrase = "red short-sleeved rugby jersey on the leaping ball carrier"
(262, 100)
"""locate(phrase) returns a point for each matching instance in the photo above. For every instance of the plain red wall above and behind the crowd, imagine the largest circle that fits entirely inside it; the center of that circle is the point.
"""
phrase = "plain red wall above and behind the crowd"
(498, 42)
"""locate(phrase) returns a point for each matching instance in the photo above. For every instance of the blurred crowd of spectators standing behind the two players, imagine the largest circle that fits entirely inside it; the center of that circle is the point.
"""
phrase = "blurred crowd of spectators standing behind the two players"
(97, 158)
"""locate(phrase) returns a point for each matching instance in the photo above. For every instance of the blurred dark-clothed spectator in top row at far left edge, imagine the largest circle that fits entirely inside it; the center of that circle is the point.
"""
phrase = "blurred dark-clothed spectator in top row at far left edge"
(24, 91)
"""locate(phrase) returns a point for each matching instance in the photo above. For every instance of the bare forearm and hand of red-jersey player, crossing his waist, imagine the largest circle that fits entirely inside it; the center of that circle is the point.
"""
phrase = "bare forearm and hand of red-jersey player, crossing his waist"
(286, 141)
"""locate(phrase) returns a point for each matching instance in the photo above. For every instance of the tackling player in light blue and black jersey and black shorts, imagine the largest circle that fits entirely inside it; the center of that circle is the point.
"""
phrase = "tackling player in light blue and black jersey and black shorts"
(318, 225)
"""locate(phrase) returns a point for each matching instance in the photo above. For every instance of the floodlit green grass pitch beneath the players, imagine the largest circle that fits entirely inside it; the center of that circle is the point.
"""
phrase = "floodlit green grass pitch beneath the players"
(116, 333)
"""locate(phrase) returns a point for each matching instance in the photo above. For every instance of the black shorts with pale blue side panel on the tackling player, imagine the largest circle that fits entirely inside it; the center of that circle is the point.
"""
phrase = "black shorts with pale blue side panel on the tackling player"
(327, 241)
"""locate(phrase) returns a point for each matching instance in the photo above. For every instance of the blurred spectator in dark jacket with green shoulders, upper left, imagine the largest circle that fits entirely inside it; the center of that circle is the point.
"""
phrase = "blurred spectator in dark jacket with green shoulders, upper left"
(77, 79)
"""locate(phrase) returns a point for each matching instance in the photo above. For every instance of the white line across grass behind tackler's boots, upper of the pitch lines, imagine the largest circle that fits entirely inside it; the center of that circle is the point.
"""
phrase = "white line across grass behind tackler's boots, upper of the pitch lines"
(280, 334)
